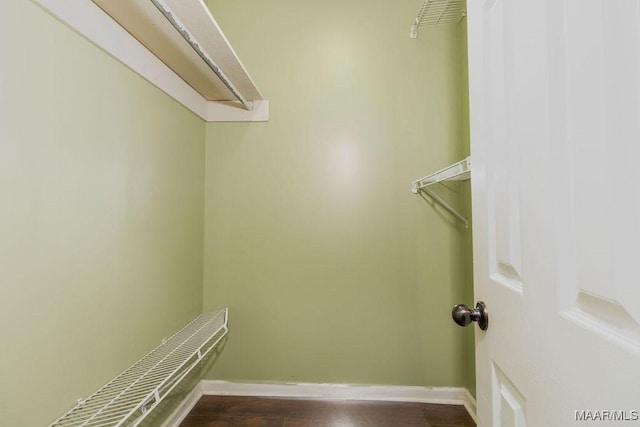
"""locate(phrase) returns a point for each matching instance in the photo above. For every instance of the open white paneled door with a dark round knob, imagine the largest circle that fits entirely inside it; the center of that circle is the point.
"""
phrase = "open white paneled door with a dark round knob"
(555, 138)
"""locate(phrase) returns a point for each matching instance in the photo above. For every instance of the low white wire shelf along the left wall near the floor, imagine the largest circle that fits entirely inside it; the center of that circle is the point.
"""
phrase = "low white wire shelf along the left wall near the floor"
(131, 396)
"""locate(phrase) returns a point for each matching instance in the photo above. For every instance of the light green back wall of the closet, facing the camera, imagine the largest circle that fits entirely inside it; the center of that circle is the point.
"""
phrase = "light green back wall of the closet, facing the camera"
(333, 270)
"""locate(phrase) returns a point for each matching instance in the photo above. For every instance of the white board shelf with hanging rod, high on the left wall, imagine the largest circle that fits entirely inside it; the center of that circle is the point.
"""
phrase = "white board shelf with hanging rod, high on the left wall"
(174, 67)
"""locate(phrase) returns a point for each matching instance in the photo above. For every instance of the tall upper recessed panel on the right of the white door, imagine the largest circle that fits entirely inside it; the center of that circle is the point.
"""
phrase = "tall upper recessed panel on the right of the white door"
(598, 60)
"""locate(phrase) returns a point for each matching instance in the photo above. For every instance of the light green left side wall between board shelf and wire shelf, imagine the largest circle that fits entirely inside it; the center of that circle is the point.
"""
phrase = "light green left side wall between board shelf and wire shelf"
(101, 216)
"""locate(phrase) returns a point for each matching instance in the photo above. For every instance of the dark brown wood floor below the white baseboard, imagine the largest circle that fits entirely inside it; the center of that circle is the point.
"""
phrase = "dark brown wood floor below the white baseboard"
(222, 411)
